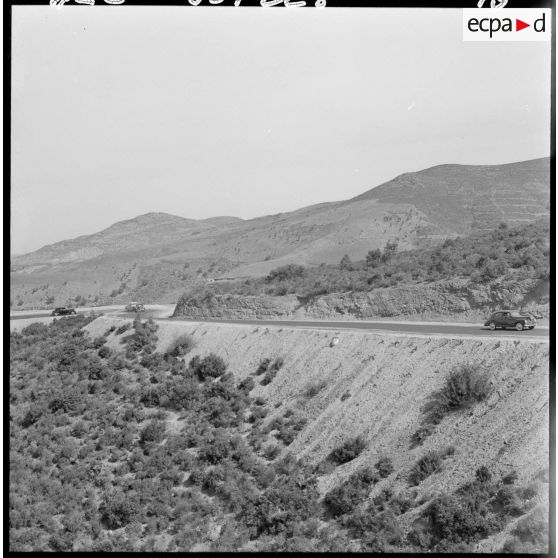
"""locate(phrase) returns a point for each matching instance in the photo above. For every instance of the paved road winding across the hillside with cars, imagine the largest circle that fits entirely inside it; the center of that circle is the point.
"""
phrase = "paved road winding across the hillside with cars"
(401, 327)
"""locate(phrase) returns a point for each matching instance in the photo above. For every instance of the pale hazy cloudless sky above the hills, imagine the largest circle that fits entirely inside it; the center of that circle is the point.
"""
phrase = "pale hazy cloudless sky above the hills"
(198, 112)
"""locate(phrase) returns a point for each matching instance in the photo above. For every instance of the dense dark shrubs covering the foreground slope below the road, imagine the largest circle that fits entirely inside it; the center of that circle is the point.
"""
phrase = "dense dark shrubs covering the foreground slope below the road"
(135, 450)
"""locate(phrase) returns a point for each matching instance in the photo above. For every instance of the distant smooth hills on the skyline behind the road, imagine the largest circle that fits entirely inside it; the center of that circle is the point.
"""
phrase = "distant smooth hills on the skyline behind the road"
(157, 256)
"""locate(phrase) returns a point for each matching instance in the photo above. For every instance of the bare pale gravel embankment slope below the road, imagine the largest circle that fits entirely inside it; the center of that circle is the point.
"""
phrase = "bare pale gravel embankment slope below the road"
(376, 386)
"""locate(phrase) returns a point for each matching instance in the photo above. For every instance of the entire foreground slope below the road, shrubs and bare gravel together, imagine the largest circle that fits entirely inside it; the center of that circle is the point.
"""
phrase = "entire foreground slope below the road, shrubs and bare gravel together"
(272, 439)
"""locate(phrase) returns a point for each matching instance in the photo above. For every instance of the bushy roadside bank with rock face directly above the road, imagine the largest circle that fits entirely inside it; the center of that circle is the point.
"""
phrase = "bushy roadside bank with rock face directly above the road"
(463, 279)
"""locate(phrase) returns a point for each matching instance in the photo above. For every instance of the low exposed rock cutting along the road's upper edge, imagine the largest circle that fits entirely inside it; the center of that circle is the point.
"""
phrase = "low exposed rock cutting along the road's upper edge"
(454, 299)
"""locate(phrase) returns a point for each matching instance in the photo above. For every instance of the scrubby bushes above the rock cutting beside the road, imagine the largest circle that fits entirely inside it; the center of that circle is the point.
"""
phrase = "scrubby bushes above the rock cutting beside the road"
(508, 254)
